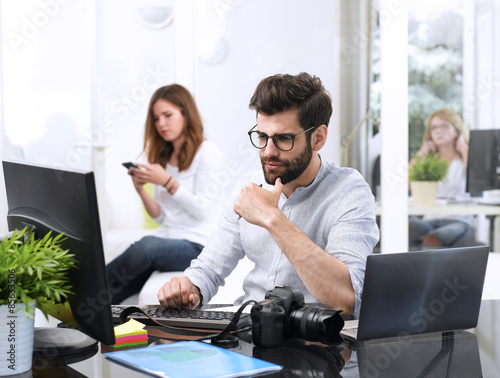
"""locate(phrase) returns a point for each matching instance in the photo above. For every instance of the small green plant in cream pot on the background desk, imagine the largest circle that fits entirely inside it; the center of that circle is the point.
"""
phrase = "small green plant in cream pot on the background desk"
(424, 174)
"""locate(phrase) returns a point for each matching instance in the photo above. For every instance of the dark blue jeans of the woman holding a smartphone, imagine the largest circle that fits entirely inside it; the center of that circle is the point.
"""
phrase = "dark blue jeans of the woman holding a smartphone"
(129, 271)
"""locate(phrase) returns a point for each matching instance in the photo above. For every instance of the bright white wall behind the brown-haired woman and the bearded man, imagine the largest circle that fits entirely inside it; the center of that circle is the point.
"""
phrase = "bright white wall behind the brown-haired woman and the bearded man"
(82, 72)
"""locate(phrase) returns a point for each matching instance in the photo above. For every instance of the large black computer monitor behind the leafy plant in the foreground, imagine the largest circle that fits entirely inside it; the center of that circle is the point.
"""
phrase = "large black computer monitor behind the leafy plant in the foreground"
(65, 201)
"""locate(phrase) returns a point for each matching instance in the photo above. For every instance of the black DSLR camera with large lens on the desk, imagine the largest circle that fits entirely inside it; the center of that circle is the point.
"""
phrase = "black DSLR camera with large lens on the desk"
(283, 315)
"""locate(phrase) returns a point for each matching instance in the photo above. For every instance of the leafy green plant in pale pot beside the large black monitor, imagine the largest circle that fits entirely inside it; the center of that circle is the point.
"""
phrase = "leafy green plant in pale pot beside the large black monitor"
(30, 268)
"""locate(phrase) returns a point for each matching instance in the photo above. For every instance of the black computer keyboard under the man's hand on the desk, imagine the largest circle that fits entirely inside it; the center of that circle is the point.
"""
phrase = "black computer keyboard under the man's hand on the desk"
(216, 320)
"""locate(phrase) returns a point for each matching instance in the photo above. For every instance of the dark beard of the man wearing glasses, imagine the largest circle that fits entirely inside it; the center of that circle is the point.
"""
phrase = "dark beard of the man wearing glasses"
(293, 168)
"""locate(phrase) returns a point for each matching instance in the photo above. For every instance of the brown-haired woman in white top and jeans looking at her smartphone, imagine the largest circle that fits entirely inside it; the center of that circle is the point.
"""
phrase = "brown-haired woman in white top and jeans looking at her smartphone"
(184, 168)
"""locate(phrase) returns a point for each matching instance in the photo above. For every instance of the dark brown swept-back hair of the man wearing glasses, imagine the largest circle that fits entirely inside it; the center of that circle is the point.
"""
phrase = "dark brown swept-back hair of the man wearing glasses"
(281, 92)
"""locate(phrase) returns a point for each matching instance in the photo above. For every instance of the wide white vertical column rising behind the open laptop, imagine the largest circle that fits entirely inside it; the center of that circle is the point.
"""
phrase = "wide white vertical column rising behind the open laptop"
(394, 125)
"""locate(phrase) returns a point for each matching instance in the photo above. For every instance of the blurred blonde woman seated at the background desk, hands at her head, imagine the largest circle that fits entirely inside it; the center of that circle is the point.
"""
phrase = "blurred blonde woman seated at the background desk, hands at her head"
(444, 135)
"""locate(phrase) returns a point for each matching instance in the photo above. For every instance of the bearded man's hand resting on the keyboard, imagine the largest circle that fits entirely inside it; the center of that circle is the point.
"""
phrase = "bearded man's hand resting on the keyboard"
(179, 292)
